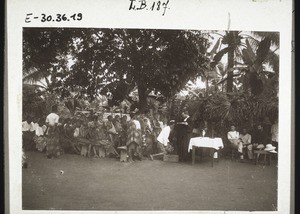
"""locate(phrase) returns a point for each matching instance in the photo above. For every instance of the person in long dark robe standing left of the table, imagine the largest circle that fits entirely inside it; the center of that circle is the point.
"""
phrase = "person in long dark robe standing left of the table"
(183, 135)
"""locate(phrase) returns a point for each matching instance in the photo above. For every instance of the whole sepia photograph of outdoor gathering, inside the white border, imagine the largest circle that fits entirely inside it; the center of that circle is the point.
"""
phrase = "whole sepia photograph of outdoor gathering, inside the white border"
(137, 119)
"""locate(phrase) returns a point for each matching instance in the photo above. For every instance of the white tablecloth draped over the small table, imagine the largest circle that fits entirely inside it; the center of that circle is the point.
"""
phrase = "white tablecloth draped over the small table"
(215, 143)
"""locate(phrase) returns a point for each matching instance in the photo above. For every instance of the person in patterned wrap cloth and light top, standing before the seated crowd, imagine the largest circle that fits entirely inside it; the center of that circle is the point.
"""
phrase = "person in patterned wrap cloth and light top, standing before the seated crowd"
(134, 138)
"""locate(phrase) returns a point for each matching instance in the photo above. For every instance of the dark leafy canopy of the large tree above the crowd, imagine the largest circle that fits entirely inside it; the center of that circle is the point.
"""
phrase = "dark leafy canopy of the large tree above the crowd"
(115, 61)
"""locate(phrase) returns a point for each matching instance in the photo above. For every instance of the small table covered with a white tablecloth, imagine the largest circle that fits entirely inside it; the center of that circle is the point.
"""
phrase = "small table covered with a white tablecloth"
(215, 144)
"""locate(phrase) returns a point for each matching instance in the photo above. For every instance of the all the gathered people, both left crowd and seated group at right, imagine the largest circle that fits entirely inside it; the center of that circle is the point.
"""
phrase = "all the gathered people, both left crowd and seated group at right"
(143, 136)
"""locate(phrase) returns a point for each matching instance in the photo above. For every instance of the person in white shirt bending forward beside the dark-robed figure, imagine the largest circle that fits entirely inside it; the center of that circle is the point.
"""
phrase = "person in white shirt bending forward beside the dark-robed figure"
(164, 140)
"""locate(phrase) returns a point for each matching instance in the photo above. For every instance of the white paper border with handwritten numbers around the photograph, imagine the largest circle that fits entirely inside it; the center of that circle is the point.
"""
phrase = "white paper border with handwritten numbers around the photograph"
(246, 15)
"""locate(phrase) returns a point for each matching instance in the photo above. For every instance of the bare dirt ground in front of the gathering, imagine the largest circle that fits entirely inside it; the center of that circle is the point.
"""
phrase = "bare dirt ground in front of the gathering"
(72, 182)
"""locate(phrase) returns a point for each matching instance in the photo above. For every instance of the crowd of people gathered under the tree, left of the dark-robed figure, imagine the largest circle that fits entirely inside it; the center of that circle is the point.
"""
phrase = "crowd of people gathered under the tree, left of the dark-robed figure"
(98, 136)
